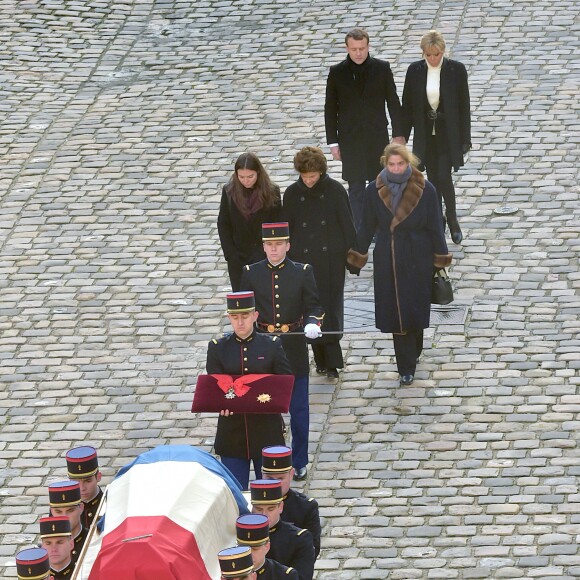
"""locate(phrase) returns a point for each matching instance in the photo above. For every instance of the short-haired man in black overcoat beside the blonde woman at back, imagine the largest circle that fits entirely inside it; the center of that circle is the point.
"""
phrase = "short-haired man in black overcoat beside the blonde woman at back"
(355, 117)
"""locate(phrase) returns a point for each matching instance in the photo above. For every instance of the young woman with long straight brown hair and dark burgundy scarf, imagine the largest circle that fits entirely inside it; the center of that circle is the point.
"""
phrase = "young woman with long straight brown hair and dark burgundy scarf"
(248, 200)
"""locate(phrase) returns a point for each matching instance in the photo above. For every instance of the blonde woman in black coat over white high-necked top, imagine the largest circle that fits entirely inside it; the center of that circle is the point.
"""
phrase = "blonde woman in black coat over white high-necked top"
(436, 106)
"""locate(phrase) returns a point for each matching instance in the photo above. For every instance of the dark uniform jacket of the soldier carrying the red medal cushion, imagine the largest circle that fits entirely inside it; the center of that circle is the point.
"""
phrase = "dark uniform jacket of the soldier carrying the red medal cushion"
(240, 434)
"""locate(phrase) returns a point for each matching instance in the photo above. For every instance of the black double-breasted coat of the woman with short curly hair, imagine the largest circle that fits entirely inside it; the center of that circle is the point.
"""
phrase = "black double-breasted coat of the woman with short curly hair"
(321, 233)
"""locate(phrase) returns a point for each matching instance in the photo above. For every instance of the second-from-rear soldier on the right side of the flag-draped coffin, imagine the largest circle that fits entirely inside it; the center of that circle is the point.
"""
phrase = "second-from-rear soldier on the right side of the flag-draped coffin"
(289, 545)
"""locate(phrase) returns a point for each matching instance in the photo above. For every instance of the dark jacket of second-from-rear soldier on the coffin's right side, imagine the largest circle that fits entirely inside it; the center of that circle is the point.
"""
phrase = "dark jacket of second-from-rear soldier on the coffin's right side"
(293, 547)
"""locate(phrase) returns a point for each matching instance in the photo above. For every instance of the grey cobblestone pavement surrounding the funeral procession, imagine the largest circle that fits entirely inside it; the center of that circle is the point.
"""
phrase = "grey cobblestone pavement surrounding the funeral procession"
(121, 120)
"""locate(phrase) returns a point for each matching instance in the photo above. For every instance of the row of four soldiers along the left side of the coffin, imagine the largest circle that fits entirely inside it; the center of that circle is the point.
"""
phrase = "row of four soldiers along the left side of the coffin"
(73, 505)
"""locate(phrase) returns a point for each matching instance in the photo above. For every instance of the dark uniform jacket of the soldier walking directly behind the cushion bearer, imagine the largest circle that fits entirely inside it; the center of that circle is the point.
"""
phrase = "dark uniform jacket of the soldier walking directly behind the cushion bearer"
(286, 298)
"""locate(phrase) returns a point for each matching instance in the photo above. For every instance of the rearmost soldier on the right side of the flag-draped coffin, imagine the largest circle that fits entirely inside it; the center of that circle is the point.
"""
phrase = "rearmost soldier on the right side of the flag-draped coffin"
(300, 510)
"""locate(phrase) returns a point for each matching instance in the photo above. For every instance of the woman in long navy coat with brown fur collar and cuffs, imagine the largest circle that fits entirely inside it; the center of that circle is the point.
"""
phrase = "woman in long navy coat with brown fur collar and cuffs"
(403, 209)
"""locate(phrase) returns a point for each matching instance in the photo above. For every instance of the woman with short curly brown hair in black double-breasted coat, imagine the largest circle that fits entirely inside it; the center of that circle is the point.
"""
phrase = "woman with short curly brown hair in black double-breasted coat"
(321, 233)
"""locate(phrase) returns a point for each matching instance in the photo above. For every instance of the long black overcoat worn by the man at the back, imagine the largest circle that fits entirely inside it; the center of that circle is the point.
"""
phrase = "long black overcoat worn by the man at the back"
(357, 120)
